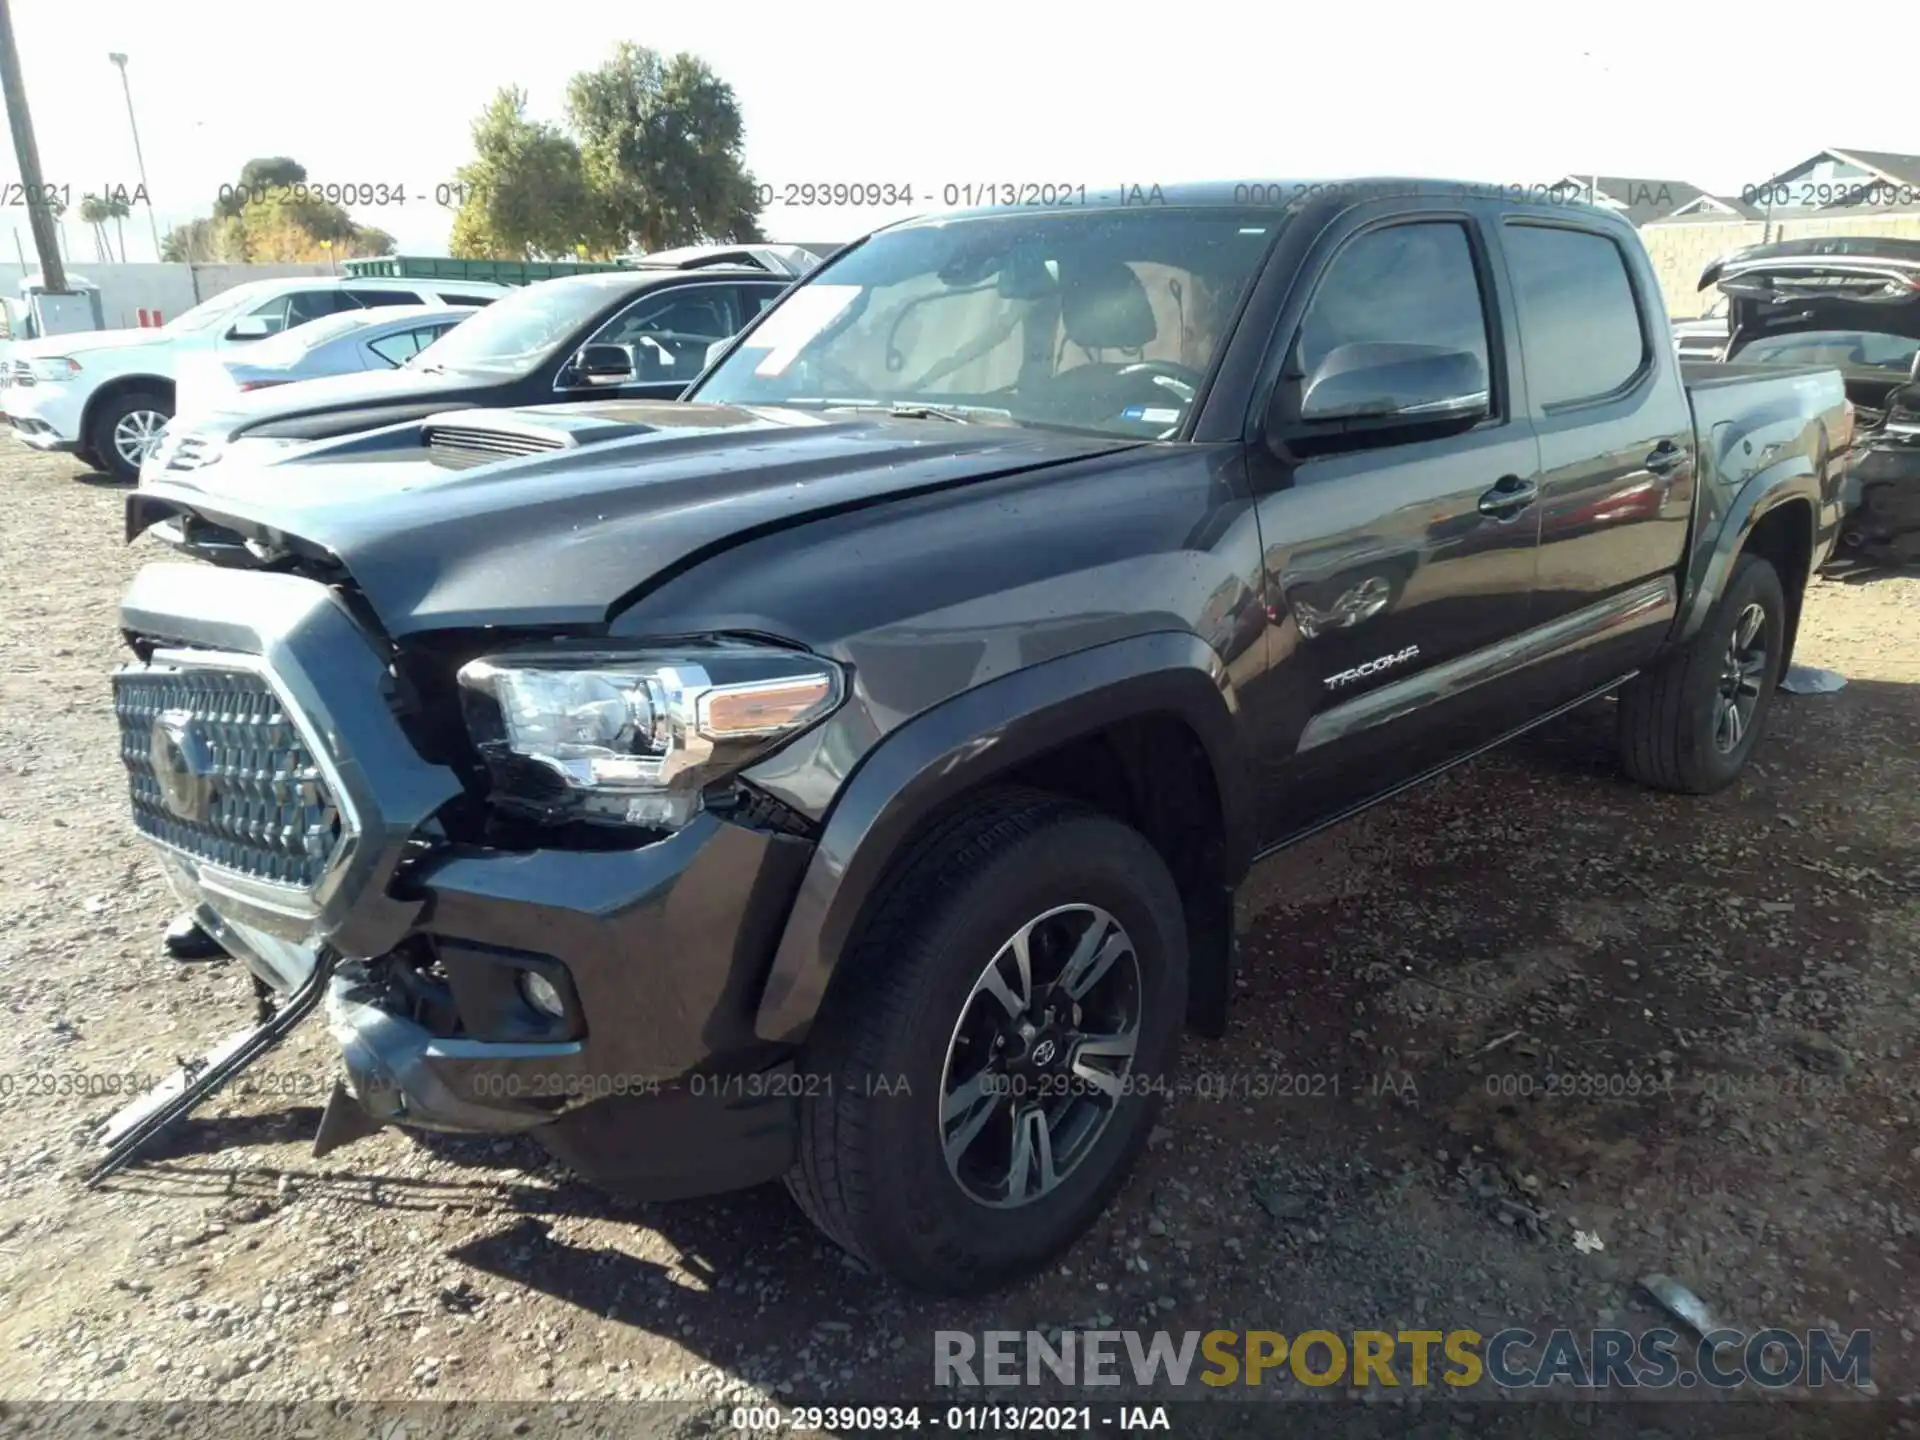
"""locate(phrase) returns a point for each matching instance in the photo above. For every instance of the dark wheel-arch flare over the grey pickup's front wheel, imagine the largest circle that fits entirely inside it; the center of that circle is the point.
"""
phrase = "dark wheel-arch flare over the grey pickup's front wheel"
(971, 740)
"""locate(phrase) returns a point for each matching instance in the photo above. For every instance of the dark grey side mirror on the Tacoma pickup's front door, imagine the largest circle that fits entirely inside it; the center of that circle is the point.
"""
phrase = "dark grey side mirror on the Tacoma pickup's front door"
(1374, 387)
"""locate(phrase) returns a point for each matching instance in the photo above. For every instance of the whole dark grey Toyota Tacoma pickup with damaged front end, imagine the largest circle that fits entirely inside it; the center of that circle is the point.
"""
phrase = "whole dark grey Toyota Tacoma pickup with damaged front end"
(846, 775)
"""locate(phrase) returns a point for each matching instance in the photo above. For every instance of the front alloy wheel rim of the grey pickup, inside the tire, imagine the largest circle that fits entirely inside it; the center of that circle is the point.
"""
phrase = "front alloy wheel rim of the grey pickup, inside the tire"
(1040, 1057)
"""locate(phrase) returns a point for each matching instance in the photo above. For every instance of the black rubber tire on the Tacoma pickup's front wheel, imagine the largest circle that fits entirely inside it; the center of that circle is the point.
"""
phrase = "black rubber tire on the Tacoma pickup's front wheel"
(873, 1170)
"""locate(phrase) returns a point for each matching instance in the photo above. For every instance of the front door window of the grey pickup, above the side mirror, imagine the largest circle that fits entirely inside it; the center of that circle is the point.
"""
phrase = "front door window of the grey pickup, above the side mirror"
(1404, 285)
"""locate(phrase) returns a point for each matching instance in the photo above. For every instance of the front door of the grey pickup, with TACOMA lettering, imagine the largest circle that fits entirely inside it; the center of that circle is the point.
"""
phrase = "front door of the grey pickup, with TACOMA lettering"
(1399, 565)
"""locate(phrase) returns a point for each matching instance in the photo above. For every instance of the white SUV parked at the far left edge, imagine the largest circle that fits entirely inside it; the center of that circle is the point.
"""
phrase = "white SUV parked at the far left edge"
(105, 396)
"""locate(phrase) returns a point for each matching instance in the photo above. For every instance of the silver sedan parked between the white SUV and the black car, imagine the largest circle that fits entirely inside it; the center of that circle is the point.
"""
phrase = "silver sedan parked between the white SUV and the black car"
(348, 343)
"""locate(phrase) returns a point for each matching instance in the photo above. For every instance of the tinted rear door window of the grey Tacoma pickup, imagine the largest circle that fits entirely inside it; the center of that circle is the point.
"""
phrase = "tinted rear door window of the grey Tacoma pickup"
(1579, 320)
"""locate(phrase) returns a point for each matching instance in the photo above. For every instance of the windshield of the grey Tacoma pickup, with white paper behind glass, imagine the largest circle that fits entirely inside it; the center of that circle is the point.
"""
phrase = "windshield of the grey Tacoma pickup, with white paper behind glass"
(1099, 322)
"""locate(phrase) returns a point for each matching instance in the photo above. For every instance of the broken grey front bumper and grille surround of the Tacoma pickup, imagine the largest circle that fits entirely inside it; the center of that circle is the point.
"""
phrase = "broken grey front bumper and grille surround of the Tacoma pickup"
(660, 951)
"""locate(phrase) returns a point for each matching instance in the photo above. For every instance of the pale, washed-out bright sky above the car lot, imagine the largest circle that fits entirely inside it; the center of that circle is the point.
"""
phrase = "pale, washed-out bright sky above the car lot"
(926, 97)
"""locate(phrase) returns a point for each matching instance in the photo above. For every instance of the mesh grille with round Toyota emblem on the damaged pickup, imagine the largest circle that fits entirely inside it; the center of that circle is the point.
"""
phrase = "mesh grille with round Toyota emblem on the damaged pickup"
(268, 811)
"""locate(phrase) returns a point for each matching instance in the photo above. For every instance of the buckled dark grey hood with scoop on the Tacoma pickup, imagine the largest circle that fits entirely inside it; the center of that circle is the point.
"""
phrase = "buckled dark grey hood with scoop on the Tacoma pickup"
(571, 537)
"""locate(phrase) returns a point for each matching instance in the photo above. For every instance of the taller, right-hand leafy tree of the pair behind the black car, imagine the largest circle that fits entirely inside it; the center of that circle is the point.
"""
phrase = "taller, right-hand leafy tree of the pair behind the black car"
(661, 147)
